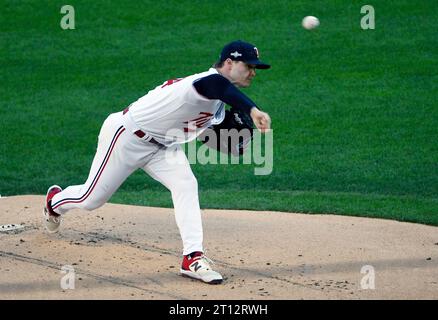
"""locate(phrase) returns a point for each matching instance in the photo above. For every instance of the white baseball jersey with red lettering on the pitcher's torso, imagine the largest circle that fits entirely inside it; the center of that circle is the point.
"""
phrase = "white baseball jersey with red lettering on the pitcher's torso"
(175, 112)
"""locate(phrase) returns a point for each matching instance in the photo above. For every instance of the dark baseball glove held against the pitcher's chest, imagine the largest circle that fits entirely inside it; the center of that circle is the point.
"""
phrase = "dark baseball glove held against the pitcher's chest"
(231, 136)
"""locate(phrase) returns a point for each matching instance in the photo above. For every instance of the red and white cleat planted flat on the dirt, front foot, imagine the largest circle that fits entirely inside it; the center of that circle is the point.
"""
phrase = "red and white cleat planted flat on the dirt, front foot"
(197, 266)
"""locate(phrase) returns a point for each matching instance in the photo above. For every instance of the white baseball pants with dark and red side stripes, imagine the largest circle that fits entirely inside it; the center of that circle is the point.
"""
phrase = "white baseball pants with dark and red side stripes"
(119, 153)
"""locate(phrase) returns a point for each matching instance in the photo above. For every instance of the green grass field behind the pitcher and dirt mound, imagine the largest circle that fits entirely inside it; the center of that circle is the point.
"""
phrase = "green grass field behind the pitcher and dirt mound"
(354, 112)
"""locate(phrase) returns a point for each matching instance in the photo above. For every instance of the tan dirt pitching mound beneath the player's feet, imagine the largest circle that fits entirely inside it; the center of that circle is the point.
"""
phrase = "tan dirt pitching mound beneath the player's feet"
(130, 252)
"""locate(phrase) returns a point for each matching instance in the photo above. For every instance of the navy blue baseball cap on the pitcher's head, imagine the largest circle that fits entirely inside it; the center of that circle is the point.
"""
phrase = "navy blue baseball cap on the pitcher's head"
(243, 51)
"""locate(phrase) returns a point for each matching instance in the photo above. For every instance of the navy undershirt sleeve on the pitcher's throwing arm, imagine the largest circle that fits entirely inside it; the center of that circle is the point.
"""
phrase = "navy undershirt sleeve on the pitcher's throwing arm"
(218, 87)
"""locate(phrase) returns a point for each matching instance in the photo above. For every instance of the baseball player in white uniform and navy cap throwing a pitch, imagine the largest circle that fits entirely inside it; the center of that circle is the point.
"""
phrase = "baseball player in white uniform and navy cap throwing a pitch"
(147, 135)
